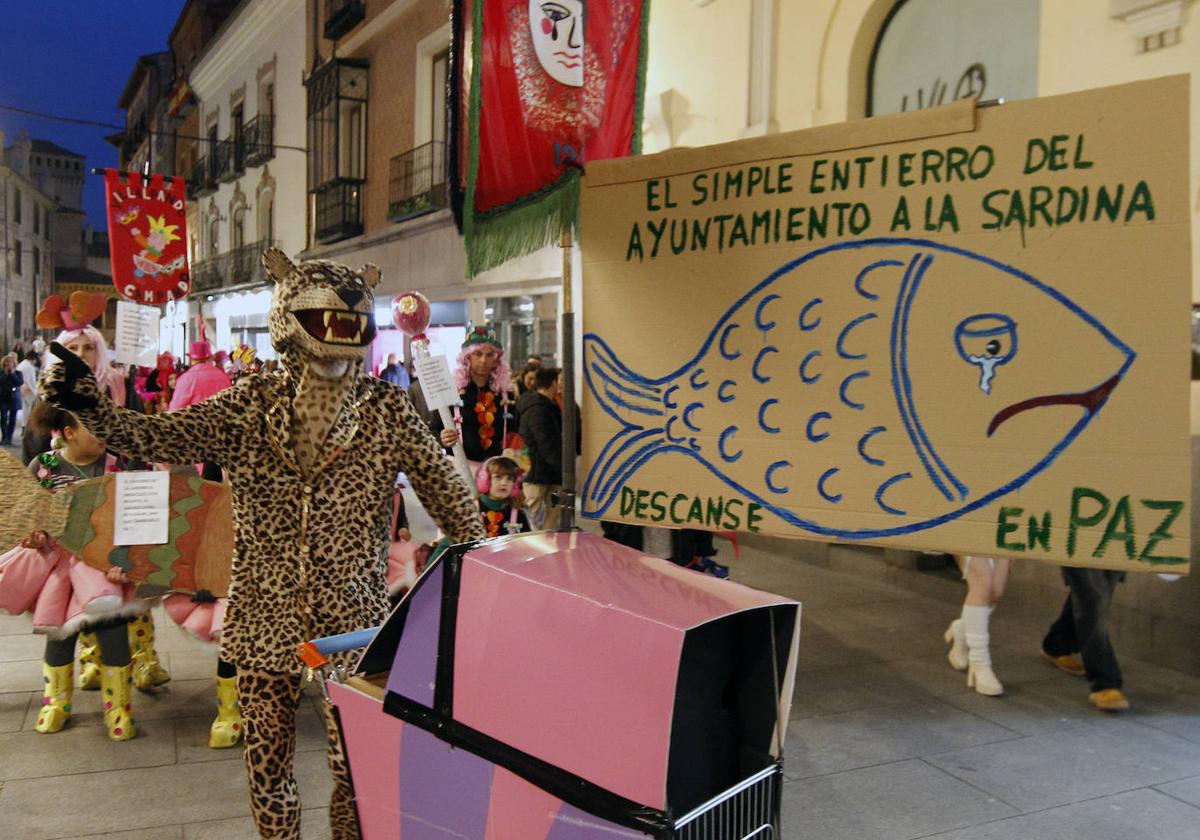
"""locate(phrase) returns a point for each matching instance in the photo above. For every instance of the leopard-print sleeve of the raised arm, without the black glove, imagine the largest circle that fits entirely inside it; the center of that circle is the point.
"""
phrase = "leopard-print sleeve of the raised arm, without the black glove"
(201, 433)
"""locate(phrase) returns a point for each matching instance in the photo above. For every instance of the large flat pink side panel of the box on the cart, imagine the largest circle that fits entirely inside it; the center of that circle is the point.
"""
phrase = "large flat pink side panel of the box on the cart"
(573, 681)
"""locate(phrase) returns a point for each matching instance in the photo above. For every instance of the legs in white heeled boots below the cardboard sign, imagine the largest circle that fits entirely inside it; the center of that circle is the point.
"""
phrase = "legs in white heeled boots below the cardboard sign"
(968, 635)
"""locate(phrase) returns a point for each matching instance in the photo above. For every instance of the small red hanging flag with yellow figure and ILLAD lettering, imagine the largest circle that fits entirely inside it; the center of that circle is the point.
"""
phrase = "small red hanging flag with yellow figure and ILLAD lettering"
(148, 236)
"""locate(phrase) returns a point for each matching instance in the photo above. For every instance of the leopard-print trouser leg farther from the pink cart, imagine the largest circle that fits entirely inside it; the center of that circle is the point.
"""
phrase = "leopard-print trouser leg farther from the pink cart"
(269, 705)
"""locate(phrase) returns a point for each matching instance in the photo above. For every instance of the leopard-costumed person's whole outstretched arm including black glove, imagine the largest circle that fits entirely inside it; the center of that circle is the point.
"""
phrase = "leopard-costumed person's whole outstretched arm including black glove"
(202, 433)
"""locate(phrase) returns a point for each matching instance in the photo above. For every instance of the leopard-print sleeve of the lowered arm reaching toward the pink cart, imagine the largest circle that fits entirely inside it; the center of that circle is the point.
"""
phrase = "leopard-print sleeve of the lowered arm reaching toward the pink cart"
(440, 488)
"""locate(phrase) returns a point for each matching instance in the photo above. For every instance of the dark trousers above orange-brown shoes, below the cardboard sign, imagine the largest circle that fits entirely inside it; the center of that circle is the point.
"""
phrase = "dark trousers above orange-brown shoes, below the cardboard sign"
(1083, 627)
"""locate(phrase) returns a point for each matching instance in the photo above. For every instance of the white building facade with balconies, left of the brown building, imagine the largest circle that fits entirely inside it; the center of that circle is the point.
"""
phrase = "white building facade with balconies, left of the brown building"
(249, 170)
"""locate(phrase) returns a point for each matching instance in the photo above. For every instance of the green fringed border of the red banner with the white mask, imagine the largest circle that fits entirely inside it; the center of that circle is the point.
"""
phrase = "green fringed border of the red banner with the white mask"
(544, 217)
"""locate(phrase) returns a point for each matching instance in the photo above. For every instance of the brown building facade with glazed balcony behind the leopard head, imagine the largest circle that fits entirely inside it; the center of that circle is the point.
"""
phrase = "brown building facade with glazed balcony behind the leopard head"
(377, 110)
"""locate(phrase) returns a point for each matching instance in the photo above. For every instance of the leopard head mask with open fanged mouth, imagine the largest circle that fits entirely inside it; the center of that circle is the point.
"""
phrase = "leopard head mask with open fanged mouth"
(321, 310)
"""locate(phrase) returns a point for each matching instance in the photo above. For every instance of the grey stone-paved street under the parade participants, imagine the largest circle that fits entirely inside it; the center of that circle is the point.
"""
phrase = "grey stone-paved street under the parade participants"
(886, 743)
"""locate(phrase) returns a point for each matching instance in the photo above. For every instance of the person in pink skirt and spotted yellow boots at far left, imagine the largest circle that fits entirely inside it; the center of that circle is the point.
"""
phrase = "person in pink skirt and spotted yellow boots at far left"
(65, 596)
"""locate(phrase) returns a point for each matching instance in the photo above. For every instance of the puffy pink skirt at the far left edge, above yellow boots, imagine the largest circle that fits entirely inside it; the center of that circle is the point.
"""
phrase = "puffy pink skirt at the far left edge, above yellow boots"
(63, 593)
